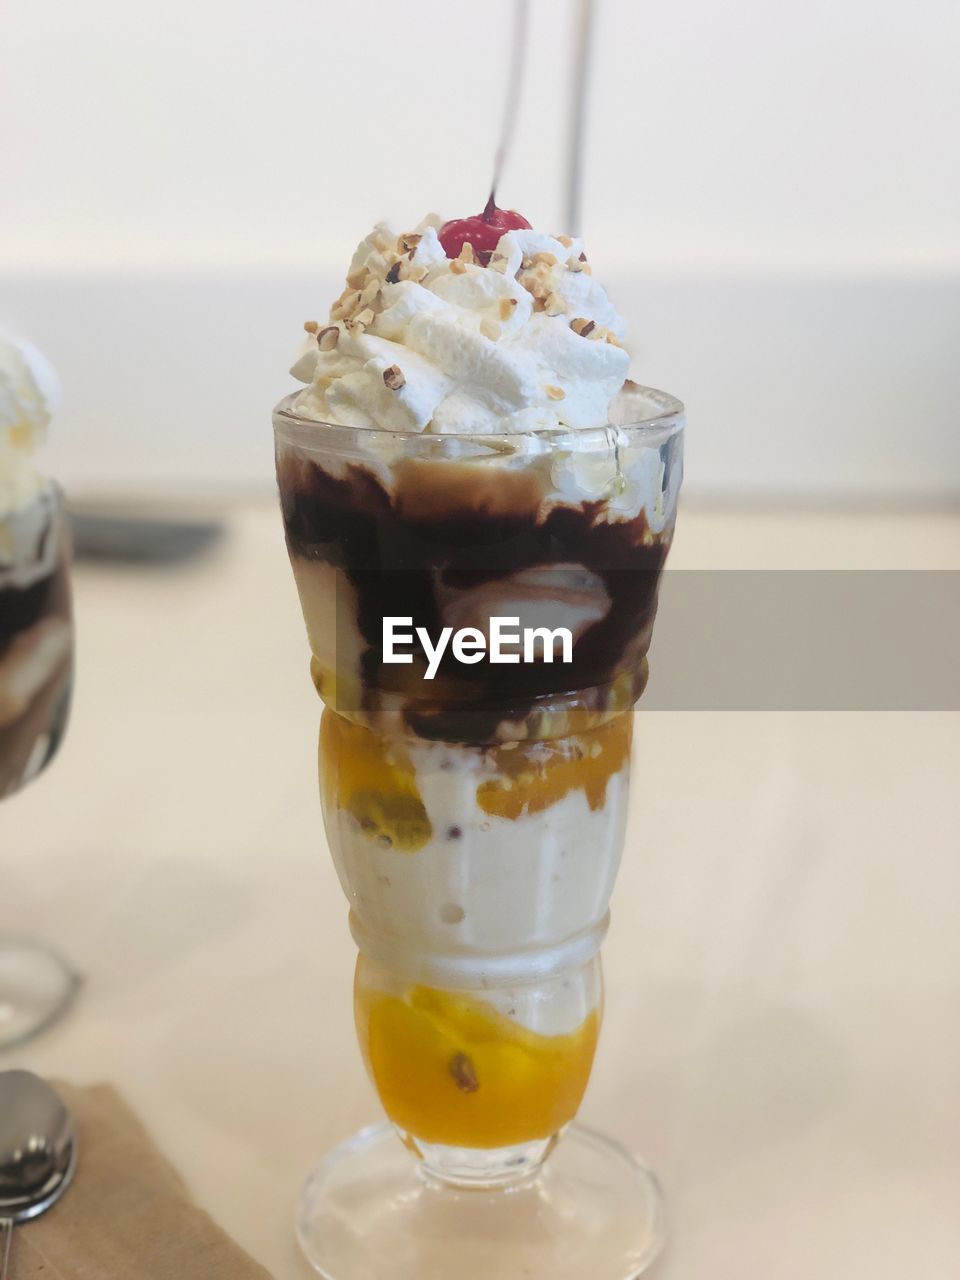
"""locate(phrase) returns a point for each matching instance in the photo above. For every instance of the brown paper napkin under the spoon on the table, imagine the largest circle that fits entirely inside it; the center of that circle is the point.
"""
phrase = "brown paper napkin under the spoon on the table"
(129, 1215)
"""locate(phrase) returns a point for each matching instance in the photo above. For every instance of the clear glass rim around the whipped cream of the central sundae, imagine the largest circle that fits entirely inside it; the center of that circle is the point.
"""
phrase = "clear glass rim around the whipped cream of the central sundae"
(668, 419)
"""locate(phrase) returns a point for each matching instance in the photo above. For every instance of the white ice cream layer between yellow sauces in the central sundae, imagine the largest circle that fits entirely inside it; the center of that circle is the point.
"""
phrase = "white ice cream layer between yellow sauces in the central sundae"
(484, 885)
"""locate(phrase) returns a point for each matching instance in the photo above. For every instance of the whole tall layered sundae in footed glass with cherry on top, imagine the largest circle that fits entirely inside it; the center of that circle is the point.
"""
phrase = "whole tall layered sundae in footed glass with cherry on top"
(478, 508)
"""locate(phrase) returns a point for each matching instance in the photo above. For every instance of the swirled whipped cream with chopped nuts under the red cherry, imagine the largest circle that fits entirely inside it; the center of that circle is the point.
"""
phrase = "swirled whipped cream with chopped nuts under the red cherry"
(419, 342)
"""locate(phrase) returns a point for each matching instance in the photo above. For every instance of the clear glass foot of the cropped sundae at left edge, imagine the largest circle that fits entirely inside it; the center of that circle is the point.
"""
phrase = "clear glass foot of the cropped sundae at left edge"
(36, 988)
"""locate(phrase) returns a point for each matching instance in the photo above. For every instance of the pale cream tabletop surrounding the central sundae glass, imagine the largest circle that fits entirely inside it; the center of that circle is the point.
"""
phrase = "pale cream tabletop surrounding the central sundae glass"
(783, 1032)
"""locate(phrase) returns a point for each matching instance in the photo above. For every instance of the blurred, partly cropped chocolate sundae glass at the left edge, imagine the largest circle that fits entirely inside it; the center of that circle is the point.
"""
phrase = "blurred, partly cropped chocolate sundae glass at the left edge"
(36, 660)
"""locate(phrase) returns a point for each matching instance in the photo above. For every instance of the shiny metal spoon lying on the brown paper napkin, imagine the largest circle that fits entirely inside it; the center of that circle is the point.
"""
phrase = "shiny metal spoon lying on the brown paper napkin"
(38, 1153)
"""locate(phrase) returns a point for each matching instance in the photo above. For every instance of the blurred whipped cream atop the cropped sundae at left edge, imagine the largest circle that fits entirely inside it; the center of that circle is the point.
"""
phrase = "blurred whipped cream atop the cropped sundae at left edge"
(29, 394)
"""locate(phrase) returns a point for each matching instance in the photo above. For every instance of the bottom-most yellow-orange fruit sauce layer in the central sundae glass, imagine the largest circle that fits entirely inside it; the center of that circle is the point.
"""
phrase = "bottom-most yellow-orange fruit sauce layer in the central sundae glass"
(452, 1069)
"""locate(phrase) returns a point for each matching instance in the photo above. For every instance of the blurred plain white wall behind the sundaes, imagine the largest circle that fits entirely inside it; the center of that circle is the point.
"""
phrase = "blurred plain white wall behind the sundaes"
(772, 196)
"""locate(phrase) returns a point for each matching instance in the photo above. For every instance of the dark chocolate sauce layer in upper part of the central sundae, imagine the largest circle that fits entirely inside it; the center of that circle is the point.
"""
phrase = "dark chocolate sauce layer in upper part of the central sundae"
(449, 529)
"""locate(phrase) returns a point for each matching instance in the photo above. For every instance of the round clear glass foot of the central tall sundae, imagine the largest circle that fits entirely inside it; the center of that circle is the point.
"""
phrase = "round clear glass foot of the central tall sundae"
(367, 1214)
